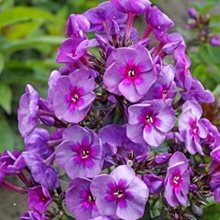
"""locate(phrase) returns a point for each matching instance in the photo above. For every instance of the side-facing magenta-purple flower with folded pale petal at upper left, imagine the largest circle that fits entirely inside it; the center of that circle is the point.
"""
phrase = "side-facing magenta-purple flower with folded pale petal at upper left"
(72, 50)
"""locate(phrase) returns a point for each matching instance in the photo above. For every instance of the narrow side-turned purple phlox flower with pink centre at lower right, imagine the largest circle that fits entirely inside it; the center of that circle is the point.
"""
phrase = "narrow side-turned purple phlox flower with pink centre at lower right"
(177, 180)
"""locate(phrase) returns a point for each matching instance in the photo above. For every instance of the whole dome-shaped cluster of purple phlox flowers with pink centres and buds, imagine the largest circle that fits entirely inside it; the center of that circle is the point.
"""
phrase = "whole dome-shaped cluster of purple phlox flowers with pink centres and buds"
(122, 123)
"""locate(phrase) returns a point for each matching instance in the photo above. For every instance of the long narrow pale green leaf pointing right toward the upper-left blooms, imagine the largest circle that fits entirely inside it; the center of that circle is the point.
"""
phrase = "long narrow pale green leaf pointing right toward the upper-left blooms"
(35, 42)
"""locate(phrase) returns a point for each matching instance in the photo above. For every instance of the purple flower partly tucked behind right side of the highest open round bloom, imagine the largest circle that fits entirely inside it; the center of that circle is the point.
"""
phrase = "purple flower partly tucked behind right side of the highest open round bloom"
(164, 87)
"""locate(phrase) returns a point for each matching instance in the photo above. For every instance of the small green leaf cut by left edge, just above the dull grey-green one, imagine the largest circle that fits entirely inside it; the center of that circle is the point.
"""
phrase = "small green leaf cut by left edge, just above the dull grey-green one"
(5, 97)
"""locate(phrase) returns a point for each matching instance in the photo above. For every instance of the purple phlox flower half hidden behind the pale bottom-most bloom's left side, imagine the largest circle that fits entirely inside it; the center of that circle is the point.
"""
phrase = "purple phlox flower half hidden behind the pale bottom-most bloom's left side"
(79, 199)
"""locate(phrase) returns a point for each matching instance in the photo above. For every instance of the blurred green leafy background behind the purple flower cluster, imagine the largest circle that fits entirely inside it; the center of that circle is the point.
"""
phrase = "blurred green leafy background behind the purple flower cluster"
(31, 31)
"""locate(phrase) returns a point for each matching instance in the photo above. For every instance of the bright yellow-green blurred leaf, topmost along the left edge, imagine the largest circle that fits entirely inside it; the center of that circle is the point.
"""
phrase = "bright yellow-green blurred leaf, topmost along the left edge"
(22, 13)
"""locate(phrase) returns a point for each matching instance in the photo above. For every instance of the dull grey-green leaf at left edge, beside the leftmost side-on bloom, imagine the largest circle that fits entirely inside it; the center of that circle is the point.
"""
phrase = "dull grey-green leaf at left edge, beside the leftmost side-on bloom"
(6, 134)
